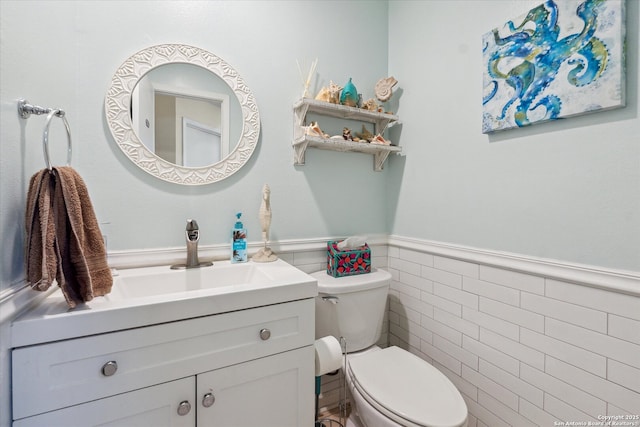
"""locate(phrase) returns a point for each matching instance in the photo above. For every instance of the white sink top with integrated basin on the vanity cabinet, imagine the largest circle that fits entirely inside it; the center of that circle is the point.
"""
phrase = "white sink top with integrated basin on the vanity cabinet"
(150, 295)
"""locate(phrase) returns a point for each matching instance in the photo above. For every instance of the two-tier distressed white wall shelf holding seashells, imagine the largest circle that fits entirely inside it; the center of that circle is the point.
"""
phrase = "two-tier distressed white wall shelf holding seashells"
(302, 141)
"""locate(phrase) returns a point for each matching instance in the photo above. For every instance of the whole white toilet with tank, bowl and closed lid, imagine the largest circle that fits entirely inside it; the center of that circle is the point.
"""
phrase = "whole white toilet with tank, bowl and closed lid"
(390, 387)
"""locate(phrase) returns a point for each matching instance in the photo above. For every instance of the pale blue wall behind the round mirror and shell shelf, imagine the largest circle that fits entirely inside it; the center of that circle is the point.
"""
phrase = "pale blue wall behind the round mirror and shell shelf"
(64, 54)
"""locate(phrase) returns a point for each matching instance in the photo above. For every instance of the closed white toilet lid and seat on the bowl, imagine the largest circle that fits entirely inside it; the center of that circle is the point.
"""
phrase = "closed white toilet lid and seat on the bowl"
(407, 389)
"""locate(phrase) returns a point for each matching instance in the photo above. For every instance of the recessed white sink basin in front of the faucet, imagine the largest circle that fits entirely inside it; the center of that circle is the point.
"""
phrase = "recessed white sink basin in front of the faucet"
(150, 281)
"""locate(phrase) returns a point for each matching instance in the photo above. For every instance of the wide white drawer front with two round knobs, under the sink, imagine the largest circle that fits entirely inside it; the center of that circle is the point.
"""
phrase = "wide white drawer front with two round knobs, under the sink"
(60, 374)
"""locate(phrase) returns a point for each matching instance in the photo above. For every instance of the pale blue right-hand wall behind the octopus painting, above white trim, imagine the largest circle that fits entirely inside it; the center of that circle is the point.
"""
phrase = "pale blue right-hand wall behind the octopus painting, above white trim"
(566, 190)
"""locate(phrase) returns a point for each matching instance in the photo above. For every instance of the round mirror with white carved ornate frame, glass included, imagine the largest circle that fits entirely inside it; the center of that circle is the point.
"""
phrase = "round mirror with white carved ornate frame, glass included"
(182, 114)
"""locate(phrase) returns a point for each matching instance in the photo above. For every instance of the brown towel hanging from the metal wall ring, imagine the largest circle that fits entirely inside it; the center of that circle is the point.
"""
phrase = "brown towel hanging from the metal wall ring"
(79, 254)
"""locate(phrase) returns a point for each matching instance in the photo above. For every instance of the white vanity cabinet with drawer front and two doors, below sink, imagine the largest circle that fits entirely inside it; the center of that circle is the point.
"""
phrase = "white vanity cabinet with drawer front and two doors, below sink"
(242, 368)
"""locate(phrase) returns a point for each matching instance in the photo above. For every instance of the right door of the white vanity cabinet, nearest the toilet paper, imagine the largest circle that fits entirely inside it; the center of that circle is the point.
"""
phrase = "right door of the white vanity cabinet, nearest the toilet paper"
(273, 391)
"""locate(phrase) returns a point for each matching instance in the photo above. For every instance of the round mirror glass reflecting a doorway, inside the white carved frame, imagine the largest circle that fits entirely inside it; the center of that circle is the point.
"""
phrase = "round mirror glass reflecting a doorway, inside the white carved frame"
(183, 113)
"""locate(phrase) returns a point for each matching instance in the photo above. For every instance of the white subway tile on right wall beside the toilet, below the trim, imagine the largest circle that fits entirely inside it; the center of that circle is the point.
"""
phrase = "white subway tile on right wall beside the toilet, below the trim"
(523, 349)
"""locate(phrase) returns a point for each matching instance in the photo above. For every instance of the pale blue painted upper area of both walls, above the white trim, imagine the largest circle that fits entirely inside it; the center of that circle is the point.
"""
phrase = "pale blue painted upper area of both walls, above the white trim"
(566, 190)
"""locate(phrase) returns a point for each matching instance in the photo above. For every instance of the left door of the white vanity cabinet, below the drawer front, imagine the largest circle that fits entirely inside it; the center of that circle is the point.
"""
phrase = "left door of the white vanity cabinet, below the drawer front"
(155, 406)
